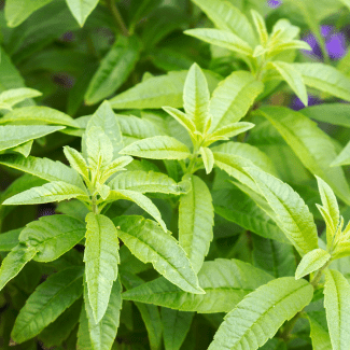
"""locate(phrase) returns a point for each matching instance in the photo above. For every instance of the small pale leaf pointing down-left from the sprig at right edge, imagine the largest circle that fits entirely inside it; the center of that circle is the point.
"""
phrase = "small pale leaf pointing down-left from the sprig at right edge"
(311, 262)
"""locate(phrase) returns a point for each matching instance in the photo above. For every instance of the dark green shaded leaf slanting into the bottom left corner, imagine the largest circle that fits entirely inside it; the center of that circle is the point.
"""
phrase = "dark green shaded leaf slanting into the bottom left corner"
(48, 302)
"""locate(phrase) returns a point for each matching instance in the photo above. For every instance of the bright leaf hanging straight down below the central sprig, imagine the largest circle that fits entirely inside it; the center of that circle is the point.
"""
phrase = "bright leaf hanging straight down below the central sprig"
(196, 220)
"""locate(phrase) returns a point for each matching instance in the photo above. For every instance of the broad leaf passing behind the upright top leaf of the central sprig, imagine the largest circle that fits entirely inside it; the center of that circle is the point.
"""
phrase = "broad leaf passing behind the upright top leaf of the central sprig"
(157, 92)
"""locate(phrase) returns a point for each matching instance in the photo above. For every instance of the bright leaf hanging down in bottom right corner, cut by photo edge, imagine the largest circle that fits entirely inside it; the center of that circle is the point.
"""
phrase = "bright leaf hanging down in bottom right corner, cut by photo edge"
(337, 305)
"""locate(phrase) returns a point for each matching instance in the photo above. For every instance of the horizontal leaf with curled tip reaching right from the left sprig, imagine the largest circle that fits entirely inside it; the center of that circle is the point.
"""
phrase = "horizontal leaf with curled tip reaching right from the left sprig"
(145, 182)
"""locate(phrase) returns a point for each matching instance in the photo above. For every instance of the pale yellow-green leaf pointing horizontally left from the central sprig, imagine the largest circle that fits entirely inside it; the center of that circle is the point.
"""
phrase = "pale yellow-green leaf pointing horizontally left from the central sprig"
(158, 147)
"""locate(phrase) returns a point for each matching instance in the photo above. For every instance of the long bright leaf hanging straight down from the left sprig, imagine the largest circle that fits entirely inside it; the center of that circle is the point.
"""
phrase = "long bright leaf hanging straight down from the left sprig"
(101, 259)
